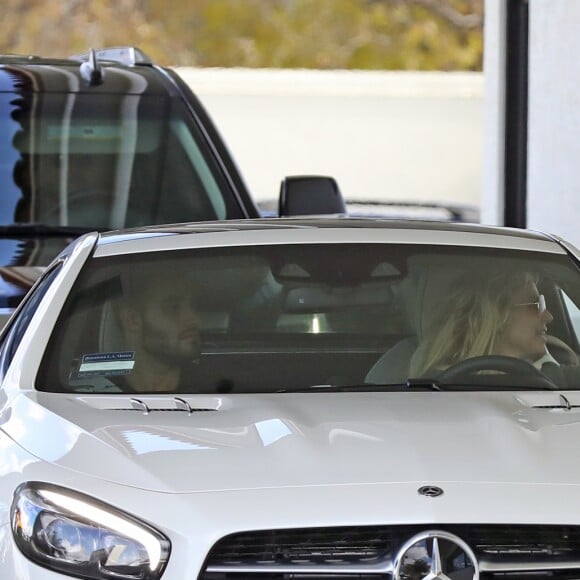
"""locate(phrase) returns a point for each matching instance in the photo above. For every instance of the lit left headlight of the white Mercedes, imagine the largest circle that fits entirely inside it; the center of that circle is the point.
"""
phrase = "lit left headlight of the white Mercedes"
(77, 535)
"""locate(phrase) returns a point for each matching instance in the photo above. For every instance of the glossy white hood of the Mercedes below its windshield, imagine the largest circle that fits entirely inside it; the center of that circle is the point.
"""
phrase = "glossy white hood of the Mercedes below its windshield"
(307, 439)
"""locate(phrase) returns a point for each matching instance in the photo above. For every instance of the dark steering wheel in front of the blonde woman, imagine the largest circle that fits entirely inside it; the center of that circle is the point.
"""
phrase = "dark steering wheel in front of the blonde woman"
(467, 369)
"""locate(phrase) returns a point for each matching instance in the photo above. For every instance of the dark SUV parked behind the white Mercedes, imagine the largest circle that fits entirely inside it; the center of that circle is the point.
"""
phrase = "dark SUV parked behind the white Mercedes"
(102, 141)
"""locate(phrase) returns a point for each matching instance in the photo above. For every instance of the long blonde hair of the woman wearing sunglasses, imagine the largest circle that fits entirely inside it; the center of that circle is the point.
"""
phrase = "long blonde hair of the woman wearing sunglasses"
(470, 319)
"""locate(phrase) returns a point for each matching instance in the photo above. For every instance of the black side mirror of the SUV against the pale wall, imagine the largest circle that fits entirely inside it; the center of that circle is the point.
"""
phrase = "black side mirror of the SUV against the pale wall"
(310, 195)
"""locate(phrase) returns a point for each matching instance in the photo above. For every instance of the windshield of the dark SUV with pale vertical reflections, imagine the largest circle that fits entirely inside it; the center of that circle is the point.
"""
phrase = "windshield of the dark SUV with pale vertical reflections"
(105, 161)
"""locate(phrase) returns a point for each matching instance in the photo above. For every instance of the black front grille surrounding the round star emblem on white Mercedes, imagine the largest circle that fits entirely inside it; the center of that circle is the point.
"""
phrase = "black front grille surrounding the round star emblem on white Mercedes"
(516, 552)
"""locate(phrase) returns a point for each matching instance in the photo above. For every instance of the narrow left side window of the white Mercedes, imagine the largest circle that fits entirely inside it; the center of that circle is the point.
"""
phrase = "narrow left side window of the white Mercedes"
(13, 333)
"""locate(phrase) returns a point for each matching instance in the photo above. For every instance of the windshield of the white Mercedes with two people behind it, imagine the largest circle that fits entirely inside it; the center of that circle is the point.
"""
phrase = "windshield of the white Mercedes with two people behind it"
(272, 318)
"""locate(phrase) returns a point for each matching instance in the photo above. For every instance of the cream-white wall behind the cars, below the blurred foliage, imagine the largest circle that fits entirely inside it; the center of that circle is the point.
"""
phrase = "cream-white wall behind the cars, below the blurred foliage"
(383, 135)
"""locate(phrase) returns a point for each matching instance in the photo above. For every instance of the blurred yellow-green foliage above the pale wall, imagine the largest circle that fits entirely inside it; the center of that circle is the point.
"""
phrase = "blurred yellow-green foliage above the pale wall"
(326, 34)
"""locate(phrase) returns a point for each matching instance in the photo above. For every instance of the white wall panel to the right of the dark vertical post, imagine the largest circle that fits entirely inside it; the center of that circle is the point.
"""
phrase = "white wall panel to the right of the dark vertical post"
(554, 118)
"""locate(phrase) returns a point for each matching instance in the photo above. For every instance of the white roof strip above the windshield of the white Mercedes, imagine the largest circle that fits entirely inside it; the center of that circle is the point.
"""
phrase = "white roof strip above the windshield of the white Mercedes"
(320, 230)
